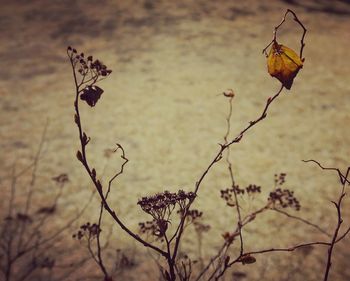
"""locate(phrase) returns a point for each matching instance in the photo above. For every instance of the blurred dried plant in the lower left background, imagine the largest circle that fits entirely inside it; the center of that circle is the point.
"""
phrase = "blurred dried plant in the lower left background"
(30, 244)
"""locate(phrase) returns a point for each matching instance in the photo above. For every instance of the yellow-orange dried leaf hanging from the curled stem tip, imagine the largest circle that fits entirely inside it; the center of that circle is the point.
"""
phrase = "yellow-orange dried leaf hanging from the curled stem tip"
(284, 64)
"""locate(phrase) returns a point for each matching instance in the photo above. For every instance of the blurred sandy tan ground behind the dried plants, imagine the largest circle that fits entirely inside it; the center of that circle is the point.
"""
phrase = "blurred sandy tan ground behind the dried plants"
(170, 61)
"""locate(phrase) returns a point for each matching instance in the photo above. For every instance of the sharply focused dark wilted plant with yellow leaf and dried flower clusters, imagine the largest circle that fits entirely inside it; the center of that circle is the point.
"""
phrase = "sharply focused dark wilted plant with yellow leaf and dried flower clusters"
(283, 64)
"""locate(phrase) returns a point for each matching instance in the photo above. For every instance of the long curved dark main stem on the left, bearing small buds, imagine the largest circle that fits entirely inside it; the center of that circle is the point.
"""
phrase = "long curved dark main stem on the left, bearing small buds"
(89, 170)
